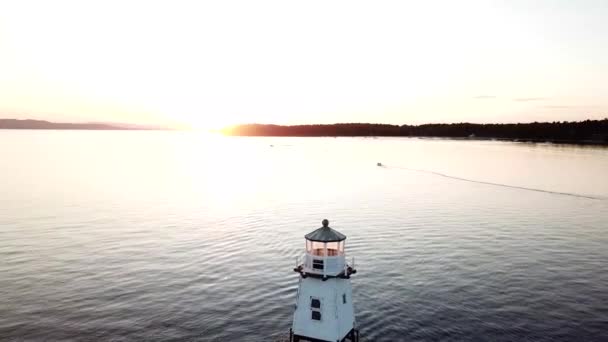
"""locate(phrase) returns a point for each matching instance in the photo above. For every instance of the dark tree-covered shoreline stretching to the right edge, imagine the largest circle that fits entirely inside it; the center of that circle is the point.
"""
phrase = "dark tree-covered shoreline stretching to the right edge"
(588, 131)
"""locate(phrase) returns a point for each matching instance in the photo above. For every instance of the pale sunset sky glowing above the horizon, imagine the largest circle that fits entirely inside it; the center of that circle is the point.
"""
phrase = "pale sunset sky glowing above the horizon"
(208, 64)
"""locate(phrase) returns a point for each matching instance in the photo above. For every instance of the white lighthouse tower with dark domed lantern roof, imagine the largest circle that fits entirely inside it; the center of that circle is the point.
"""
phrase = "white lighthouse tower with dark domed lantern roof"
(324, 303)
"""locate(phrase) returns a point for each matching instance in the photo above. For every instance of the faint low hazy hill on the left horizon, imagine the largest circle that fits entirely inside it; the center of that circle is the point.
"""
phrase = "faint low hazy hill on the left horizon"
(41, 124)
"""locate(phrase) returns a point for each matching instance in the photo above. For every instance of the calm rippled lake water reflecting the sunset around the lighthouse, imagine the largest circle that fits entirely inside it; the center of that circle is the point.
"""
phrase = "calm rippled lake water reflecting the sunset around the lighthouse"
(174, 236)
